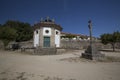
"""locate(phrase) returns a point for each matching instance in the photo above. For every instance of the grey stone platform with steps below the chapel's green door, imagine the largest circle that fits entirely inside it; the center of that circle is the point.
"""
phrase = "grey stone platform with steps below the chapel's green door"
(45, 51)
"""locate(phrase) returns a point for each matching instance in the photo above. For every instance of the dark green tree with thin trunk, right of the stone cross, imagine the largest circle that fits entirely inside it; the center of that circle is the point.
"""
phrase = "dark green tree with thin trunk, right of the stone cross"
(110, 38)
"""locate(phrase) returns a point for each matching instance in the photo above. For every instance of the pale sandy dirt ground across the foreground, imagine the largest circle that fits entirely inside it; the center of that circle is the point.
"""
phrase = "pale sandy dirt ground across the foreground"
(19, 66)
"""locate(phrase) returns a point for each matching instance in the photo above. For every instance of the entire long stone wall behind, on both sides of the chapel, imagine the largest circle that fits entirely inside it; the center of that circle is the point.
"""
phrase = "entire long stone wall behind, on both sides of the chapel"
(73, 44)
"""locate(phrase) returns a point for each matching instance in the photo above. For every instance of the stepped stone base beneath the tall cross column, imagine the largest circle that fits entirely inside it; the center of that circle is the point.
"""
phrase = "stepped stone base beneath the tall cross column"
(93, 53)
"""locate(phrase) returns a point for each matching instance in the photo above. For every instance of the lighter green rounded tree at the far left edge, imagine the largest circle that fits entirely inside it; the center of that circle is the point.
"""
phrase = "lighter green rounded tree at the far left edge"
(7, 35)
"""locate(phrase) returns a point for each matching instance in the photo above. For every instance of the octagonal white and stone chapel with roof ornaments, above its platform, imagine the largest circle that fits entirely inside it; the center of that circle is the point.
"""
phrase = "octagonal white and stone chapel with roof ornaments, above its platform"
(47, 34)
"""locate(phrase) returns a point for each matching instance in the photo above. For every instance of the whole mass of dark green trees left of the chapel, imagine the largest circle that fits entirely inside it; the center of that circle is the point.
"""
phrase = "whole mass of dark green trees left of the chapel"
(15, 31)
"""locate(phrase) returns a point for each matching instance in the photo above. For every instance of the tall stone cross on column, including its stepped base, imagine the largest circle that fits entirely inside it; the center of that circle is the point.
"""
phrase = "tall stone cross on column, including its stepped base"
(92, 52)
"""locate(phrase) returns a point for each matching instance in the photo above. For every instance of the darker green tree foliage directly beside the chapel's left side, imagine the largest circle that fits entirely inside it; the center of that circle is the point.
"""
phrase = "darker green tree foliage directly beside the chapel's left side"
(24, 30)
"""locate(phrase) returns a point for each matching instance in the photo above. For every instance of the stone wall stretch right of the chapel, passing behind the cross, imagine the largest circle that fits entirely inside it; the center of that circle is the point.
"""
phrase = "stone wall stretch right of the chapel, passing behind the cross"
(83, 44)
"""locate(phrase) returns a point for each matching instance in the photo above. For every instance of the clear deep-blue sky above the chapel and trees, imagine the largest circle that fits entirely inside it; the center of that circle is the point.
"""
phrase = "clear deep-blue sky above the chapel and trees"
(72, 15)
